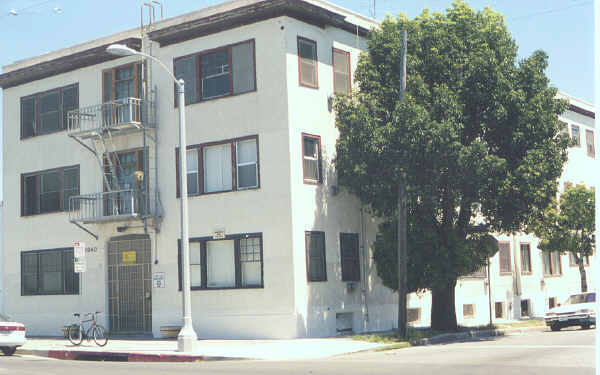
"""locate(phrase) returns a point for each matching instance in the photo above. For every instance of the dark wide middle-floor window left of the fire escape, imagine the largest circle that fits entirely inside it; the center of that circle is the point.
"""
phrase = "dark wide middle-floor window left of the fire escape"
(48, 191)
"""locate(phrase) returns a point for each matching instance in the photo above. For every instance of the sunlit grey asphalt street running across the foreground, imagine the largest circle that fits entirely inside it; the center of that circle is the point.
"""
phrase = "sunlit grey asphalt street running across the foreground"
(548, 353)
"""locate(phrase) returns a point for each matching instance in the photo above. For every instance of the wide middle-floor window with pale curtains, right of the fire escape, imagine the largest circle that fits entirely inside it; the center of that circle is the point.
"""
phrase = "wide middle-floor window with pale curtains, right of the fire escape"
(221, 166)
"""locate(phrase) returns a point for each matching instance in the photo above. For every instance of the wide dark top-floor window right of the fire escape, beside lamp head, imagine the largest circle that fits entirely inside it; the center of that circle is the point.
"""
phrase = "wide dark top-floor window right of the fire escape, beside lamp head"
(216, 73)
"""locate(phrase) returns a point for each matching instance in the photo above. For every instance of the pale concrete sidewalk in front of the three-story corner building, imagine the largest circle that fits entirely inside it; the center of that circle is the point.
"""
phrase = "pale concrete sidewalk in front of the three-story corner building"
(205, 350)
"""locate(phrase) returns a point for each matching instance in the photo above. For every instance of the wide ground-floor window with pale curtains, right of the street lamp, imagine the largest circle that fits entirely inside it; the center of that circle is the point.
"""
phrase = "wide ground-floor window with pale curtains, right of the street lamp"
(232, 262)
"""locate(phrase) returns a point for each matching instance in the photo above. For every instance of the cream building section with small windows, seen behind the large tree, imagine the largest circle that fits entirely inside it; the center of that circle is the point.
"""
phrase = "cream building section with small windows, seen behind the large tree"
(525, 282)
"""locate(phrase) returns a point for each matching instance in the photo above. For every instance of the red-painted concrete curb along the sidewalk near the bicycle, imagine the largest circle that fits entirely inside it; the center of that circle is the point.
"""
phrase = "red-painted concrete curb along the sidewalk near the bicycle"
(84, 355)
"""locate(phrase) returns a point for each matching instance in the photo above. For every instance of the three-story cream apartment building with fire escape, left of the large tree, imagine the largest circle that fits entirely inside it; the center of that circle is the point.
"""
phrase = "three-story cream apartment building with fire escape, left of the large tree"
(90, 143)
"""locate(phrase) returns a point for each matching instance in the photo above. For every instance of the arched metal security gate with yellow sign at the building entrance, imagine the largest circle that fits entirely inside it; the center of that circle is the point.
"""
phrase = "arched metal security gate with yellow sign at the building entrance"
(130, 285)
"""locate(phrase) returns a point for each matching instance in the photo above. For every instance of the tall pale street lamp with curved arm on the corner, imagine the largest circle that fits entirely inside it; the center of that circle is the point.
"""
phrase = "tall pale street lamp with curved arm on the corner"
(187, 336)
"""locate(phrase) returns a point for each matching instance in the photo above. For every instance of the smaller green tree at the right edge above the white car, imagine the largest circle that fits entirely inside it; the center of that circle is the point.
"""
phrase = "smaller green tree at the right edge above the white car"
(568, 226)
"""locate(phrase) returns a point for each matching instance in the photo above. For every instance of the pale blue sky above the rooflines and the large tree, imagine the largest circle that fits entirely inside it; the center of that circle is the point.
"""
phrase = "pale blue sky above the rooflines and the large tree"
(562, 28)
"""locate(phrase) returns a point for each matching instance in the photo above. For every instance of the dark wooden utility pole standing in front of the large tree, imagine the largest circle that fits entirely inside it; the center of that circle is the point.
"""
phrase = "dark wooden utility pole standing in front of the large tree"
(402, 218)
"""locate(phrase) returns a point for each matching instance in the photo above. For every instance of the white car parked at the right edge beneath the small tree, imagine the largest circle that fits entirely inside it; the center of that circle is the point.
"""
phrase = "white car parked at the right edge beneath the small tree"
(578, 310)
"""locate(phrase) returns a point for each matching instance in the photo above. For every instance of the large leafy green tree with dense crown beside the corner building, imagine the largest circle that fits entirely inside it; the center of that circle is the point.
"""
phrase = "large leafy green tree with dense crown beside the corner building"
(475, 136)
